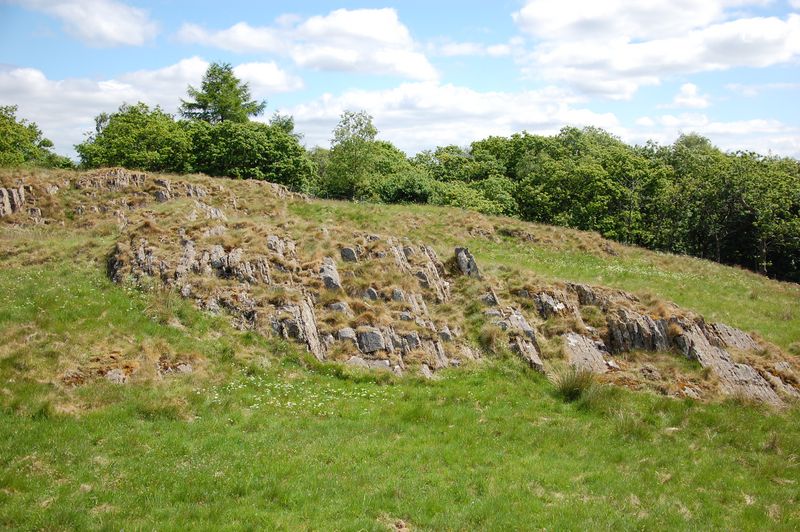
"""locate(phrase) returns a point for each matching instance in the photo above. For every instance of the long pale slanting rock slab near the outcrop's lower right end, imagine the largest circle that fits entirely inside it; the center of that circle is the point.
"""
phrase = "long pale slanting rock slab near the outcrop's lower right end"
(735, 379)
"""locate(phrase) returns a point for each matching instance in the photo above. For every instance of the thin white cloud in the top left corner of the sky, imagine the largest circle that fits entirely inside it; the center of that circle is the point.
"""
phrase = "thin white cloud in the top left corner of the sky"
(101, 23)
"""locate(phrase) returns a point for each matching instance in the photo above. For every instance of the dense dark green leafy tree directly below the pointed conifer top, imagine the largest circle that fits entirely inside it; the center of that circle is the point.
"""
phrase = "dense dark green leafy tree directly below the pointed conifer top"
(251, 150)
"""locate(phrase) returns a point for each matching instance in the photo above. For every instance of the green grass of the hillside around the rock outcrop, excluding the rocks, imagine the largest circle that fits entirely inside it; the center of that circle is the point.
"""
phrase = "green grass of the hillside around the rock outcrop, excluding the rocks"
(260, 434)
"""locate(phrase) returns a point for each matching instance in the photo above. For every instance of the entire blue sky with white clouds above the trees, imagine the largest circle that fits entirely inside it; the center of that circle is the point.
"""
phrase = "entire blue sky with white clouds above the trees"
(430, 73)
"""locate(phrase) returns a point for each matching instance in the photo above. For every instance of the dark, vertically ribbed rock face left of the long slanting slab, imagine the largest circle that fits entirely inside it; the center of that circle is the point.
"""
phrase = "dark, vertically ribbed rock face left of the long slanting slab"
(629, 330)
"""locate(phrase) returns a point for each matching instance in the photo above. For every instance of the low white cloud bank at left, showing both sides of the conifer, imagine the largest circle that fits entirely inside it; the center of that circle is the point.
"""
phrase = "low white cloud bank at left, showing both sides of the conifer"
(65, 109)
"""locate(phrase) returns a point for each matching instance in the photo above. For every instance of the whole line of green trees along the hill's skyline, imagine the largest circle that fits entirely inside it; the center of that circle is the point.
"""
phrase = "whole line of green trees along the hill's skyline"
(739, 208)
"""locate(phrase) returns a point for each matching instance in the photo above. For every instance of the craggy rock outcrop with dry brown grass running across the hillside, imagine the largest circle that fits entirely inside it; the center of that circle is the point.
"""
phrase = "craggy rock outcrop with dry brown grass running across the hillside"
(377, 301)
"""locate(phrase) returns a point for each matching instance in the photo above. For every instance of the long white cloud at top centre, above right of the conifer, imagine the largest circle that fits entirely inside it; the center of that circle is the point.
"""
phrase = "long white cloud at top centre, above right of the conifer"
(358, 40)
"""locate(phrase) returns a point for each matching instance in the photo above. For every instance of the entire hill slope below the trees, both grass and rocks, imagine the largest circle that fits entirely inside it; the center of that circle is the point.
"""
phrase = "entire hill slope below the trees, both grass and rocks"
(233, 425)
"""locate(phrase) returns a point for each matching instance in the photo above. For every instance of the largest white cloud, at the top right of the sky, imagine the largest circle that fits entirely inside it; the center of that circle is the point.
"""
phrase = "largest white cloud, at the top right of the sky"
(613, 48)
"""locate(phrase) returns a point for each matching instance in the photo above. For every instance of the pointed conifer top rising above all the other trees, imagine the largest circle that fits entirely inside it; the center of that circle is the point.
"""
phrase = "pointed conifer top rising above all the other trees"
(222, 97)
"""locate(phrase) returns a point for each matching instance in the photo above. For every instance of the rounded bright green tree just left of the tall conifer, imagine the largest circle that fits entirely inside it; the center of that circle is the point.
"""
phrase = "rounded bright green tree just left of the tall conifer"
(139, 138)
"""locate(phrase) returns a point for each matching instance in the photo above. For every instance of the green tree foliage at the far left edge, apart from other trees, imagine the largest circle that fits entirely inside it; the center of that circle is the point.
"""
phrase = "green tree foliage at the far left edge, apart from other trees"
(22, 143)
